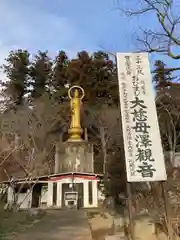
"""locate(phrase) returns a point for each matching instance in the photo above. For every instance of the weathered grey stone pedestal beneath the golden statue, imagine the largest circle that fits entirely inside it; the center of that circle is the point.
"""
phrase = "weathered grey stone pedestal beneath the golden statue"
(75, 157)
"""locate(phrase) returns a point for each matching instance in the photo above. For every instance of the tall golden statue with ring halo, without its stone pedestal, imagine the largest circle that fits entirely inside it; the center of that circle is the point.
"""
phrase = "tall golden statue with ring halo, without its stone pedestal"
(75, 130)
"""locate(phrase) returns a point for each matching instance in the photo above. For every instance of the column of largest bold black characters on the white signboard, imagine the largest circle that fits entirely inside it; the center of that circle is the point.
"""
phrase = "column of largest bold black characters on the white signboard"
(143, 142)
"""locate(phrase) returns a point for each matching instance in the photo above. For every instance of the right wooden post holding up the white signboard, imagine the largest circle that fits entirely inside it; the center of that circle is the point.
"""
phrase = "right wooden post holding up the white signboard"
(167, 211)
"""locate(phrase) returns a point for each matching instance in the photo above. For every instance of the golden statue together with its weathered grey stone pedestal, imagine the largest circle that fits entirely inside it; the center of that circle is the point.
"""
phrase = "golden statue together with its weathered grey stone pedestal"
(76, 153)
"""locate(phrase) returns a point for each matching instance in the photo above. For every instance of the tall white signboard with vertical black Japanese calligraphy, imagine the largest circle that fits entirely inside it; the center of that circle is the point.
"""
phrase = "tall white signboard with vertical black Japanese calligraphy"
(142, 143)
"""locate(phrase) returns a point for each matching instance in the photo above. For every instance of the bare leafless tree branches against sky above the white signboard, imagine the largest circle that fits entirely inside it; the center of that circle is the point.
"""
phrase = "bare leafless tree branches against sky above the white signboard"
(165, 41)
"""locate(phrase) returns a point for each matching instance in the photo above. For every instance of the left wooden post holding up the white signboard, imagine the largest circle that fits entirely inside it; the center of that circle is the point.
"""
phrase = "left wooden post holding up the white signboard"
(130, 212)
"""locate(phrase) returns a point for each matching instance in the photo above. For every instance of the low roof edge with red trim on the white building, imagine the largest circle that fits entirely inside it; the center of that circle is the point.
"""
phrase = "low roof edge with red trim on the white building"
(45, 177)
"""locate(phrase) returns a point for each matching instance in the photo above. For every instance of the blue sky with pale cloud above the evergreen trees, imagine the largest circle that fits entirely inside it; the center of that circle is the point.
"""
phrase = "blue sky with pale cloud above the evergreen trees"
(70, 25)
